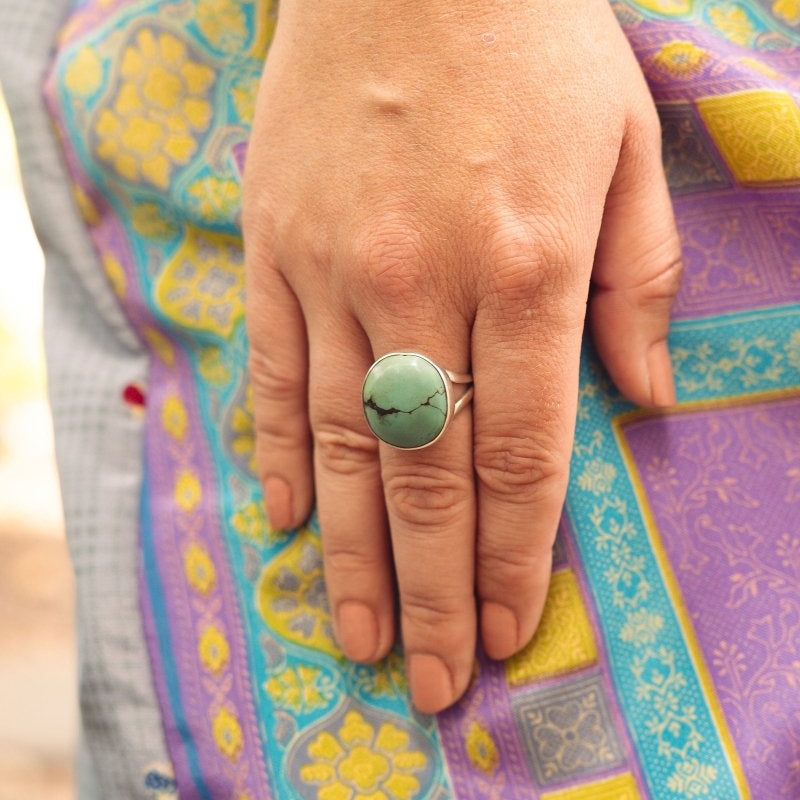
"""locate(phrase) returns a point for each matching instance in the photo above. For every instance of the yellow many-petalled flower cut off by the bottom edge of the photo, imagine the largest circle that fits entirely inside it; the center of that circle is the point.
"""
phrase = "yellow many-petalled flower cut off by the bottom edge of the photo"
(362, 763)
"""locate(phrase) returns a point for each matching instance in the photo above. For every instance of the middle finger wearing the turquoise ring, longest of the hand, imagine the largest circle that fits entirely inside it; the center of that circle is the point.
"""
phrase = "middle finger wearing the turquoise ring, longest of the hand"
(431, 507)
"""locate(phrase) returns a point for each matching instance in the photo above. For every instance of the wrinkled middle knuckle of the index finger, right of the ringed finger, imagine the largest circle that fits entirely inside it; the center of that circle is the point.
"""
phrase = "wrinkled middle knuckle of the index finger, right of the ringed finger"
(512, 466)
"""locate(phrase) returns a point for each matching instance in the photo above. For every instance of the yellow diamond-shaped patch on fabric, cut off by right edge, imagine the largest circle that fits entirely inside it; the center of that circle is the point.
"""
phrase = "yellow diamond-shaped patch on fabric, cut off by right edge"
(757, 132)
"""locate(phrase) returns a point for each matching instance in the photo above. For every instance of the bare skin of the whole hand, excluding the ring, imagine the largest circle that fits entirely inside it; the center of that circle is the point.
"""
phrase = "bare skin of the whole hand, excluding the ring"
(448, 178)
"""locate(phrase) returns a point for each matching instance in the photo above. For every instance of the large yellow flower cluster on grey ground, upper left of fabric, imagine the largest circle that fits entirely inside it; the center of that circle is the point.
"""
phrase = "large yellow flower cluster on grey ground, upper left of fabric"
(160, 107)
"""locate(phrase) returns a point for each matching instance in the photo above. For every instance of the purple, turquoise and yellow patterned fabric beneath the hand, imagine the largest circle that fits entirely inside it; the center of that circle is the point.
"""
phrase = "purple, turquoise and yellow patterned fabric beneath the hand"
(668, 660)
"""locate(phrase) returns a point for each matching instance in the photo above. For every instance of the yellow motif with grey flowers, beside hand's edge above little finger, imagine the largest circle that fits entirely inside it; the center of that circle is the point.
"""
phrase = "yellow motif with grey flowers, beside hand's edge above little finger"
(201, 286)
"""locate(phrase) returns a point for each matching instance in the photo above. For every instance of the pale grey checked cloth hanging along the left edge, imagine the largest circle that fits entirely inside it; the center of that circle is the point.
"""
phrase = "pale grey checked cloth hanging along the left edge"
(92, 353)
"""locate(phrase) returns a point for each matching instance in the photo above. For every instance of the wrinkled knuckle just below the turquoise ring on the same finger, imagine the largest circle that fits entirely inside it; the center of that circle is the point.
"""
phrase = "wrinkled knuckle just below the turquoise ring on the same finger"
(430, 497)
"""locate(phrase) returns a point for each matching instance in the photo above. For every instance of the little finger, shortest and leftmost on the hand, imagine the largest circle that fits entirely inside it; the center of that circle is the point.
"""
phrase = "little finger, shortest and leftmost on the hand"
(278, 367)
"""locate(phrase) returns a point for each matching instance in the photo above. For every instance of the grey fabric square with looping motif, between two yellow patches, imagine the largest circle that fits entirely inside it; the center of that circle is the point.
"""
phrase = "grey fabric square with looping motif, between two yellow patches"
(567, 731)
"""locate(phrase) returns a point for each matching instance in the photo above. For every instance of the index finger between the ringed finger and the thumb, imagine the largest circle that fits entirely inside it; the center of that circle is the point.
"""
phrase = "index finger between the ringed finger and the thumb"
(526, 343)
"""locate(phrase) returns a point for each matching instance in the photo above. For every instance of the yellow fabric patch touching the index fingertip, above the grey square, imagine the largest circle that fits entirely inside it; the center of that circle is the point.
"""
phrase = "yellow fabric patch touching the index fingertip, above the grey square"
(564, 640)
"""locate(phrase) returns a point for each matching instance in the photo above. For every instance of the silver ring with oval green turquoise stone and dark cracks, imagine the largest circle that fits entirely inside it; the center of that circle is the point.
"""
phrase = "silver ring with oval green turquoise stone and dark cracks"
(410, 400)
